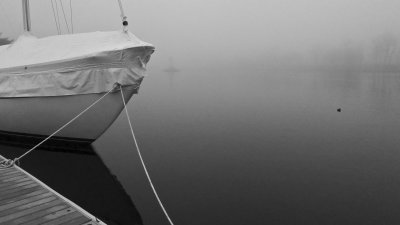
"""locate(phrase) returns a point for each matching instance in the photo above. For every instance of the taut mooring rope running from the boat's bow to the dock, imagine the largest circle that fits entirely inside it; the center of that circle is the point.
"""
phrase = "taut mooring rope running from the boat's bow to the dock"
(9, 162)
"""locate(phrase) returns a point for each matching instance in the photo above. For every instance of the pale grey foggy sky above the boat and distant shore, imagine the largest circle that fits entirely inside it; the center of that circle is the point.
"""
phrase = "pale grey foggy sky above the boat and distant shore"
(212, 31)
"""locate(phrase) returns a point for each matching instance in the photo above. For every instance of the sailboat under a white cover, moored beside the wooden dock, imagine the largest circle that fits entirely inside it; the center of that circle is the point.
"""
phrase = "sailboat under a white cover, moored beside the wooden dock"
(44, 82)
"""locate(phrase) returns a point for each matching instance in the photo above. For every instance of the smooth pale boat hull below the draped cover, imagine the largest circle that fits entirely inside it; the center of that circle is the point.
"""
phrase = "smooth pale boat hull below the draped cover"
(41, 116)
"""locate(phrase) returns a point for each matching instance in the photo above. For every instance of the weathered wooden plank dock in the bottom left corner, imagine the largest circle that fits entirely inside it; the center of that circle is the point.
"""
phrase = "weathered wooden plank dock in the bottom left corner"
(26, 200)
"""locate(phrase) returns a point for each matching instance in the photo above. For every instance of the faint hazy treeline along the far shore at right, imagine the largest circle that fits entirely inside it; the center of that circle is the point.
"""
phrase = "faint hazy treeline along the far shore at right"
(382, 54)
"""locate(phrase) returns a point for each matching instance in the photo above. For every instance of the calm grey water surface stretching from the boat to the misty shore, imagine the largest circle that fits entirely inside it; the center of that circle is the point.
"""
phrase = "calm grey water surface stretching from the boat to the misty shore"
(252, 148)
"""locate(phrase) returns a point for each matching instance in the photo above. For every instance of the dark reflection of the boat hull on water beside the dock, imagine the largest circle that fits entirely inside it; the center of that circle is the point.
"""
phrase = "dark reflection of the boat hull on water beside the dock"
(81, 177)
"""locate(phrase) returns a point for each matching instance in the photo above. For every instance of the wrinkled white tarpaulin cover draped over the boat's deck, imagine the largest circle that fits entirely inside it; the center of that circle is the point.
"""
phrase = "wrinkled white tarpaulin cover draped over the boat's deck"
(72, 64)
